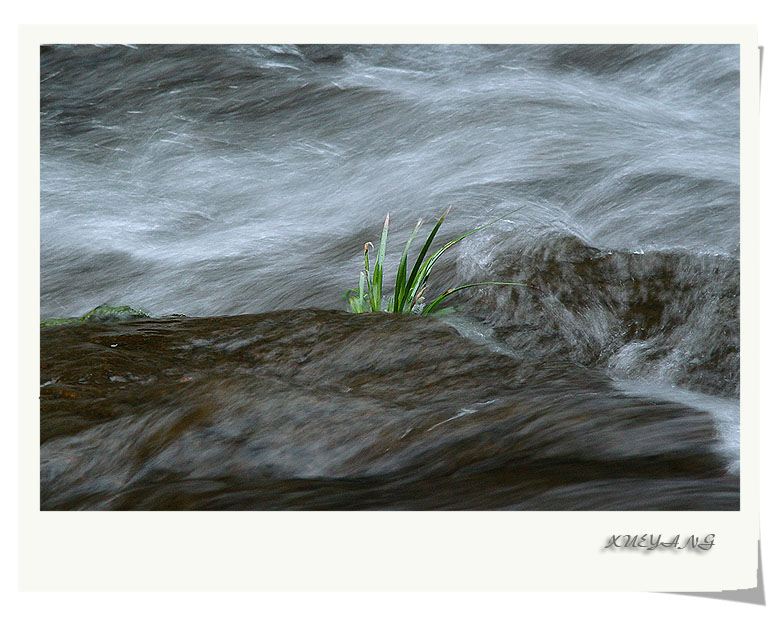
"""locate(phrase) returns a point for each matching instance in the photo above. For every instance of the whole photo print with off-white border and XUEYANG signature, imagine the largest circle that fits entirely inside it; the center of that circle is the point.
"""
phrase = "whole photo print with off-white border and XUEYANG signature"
(382, 288)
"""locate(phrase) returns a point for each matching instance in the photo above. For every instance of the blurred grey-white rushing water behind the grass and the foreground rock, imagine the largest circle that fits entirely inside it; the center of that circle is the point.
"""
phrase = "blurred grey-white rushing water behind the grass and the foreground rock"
(228, 180)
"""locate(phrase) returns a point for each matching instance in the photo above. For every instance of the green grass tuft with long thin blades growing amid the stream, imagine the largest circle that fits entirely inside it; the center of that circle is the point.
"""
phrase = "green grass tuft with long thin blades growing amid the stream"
(407, 297)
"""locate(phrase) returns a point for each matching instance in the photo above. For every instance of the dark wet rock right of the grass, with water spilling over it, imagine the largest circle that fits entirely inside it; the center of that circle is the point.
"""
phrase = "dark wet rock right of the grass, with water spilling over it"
(665, 315)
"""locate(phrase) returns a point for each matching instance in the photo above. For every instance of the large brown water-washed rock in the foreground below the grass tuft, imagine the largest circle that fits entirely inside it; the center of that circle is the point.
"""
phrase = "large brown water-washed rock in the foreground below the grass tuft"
(322, 409)
